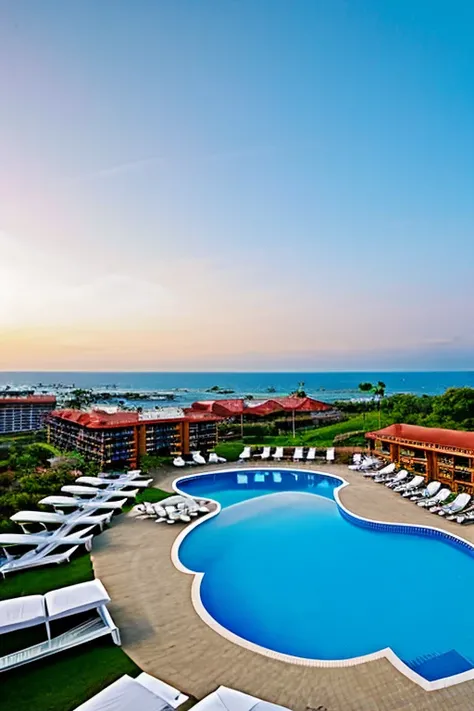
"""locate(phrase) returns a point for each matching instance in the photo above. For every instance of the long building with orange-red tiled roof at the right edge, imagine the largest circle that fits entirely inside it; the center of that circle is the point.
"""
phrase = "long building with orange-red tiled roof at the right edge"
(444, 455)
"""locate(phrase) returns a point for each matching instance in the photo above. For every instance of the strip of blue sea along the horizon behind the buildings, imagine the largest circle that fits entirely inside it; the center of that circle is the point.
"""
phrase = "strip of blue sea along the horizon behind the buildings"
(192, 386)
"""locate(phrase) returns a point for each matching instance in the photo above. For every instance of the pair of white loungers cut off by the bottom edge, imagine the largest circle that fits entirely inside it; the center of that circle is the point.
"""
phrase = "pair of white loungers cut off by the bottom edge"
(148, 693)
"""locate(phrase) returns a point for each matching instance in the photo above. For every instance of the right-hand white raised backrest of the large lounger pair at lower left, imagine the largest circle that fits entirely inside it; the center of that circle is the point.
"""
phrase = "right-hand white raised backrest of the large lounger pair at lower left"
(75, 599)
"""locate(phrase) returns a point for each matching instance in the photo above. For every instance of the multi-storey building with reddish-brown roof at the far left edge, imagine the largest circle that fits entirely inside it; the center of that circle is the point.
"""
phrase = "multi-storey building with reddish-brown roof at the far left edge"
(24, 414)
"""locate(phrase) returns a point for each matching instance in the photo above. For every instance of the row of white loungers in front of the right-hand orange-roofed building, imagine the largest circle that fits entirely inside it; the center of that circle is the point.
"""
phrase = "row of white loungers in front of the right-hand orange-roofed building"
(432, 496)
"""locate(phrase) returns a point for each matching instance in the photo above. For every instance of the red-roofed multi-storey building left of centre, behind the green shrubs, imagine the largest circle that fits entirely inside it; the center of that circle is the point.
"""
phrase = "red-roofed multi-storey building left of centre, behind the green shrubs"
(115, 439)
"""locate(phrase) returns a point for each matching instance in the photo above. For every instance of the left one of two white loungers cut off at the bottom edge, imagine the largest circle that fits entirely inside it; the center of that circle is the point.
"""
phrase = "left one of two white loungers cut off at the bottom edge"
(125, 694)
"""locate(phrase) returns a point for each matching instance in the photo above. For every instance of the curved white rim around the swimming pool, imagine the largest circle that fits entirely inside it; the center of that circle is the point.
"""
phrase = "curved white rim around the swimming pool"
(386, 653)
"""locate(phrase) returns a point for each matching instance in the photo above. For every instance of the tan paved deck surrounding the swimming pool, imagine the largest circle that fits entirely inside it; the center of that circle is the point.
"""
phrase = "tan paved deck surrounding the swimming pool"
(151, 603)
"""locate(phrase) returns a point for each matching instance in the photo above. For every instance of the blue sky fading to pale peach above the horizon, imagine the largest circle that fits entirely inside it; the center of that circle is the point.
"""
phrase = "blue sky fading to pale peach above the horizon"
(236, 184)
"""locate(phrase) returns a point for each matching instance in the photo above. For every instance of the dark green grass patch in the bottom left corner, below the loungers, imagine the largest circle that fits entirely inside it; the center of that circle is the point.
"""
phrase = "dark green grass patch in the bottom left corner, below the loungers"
(64, 681)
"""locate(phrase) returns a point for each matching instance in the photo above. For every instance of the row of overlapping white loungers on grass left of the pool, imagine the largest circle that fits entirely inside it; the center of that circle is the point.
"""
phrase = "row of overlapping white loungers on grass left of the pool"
(90, 503)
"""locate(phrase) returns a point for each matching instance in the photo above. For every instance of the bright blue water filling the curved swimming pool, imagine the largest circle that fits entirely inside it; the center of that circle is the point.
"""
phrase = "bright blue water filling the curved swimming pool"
(285, 570)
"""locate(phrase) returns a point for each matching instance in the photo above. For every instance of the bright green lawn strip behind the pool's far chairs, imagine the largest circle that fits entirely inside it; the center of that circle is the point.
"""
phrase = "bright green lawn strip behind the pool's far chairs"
(315, 437)
